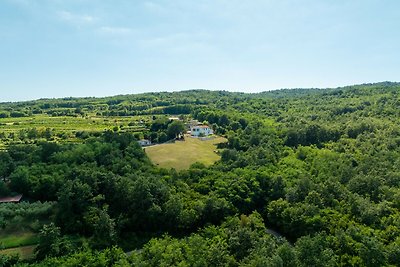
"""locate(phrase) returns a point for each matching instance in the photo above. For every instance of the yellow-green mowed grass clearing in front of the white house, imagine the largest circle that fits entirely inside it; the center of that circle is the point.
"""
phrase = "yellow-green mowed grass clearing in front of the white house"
(181, 154)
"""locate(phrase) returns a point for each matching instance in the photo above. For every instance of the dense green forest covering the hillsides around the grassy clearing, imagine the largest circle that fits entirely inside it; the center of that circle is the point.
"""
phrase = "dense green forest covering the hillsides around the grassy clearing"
(307, 177)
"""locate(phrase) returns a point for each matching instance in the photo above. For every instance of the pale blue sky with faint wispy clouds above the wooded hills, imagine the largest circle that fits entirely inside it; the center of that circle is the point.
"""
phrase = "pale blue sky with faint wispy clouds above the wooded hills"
(58, 48)
